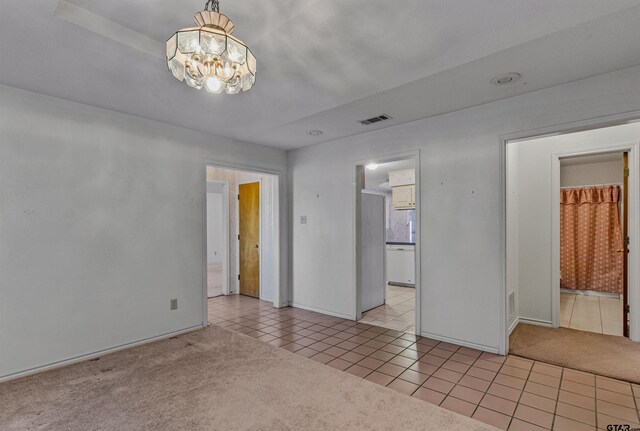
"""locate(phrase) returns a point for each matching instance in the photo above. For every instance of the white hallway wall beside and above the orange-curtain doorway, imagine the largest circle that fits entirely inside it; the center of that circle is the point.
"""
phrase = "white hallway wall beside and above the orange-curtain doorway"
(534, 170)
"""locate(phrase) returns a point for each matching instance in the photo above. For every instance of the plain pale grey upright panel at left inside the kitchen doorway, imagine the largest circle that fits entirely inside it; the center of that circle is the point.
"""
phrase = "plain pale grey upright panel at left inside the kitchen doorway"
(373, 251)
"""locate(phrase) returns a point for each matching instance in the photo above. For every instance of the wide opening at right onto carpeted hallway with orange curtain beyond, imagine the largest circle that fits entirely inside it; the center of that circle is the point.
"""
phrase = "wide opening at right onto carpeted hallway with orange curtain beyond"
(572, 266)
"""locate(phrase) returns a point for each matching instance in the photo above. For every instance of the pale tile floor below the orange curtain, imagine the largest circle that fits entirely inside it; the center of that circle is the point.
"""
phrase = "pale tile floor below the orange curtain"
(591, 313)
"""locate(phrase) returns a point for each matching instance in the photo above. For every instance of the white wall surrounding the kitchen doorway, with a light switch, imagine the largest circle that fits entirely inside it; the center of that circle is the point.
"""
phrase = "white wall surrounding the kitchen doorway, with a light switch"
(462, 256)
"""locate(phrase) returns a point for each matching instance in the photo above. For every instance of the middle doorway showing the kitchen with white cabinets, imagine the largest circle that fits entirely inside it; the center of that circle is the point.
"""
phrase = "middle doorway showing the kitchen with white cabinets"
(387, 248)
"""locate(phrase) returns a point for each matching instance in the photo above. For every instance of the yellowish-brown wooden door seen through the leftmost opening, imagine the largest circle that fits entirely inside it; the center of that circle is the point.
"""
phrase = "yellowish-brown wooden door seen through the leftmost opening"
(249, 238)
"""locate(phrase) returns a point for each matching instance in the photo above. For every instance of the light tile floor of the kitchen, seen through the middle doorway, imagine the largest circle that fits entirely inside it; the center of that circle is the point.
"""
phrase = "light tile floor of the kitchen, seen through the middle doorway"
(398, 313)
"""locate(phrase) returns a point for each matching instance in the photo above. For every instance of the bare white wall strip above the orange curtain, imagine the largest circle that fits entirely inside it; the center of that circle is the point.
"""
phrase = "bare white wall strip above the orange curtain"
(586, 174)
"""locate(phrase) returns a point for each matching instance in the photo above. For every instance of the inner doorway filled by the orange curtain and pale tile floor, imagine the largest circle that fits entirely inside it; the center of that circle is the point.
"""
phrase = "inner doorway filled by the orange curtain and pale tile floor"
(593, 253)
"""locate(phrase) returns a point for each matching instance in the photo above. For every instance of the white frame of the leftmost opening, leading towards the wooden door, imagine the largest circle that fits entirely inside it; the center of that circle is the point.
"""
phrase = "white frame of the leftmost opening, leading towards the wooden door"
(281, 293)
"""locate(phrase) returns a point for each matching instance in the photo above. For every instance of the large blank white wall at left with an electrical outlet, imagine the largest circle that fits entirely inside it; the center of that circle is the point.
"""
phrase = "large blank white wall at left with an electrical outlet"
(102, 222)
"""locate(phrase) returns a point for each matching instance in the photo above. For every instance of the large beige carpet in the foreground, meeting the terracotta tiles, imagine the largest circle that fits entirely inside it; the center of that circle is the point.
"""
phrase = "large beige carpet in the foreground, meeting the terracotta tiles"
(212, 379)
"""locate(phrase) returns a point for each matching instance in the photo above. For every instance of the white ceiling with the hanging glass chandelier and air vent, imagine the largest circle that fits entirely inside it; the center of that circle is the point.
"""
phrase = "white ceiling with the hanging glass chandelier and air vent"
(321, 64)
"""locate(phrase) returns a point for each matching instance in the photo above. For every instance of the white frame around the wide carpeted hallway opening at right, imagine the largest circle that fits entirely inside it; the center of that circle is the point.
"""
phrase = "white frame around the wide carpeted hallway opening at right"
(522, 135)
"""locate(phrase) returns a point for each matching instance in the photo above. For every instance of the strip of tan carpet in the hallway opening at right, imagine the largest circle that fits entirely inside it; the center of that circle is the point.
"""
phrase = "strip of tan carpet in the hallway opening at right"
(606, 355)
